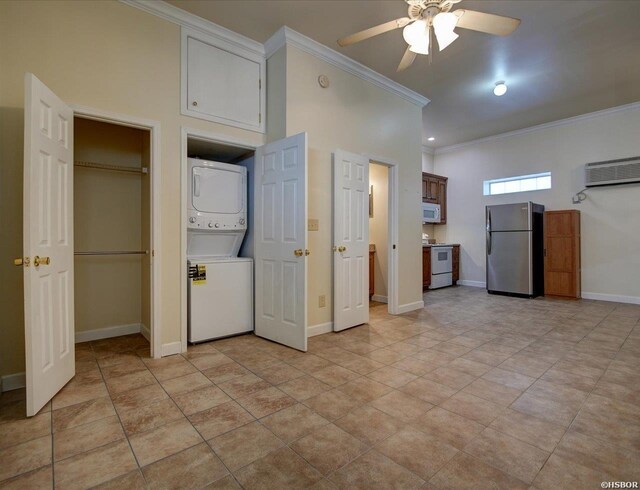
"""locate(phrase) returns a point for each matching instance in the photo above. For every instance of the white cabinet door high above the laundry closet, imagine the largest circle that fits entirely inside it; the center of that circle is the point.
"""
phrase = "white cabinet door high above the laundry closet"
(223, 81)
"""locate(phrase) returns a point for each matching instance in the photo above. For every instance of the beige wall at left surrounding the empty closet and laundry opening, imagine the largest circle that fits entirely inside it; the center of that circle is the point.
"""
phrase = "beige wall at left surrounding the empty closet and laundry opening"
(105, 55)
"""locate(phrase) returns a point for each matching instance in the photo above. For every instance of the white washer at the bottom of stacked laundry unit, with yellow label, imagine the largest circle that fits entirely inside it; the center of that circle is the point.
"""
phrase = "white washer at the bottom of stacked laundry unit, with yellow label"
(222, 304)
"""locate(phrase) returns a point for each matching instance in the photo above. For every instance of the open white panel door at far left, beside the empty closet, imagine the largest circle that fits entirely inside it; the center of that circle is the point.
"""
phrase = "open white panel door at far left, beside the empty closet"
(48, 243)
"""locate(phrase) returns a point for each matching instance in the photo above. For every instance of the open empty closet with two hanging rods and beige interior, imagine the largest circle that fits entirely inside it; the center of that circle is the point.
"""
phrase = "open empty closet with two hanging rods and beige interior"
(113, 244)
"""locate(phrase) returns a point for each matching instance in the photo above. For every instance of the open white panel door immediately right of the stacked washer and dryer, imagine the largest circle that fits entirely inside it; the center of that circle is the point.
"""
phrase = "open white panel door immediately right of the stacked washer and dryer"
(280, 188)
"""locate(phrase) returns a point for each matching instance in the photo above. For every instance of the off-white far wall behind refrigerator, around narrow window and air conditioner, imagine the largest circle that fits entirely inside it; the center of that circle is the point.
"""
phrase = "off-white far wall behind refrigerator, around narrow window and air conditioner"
(610, 215)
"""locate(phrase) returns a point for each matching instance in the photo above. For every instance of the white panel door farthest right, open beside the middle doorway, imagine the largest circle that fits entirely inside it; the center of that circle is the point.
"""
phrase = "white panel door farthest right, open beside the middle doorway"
(350, 240)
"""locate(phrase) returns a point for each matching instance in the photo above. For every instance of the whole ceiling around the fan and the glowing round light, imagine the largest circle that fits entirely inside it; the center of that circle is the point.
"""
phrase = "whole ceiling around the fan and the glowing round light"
(566, 58)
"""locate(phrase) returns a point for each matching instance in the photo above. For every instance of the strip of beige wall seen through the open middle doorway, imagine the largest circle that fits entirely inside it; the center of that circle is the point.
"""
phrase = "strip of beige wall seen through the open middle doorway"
(379, 226)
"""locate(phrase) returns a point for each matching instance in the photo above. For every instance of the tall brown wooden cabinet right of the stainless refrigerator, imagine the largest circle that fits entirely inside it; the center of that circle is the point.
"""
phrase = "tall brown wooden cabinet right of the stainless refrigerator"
(562, 253)
